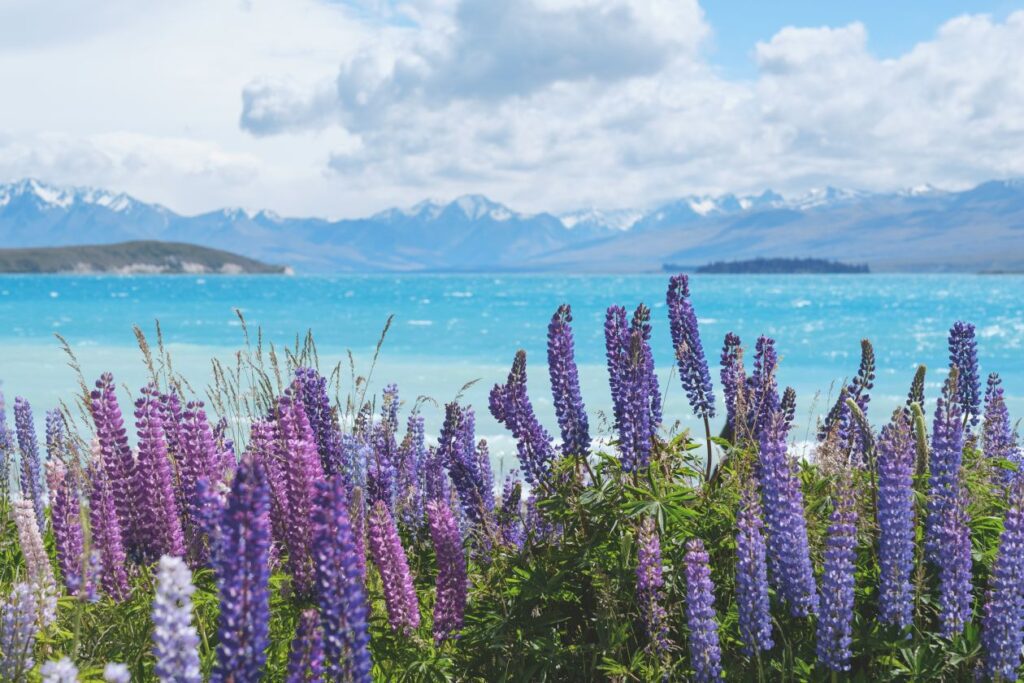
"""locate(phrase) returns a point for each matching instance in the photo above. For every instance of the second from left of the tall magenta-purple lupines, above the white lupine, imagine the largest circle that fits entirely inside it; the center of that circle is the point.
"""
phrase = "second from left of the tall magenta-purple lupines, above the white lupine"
(159, 524)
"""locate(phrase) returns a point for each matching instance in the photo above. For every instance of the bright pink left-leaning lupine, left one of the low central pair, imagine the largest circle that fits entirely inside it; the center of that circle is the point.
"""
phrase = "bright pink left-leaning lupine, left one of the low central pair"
(390, 557)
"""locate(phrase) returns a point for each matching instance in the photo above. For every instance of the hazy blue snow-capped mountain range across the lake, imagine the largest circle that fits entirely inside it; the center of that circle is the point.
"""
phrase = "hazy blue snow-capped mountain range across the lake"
(919, 230)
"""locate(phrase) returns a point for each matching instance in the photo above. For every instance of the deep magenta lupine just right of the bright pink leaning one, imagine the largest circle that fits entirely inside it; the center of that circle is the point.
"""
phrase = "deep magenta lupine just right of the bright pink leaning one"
(452, 582)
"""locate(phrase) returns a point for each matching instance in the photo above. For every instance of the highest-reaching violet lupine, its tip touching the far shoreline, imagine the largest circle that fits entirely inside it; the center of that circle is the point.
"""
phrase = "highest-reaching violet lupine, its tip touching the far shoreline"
(694, 372)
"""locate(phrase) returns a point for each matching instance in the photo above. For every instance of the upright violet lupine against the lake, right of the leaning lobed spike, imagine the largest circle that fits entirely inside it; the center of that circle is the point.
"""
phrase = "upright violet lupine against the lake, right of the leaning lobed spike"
(570, 410)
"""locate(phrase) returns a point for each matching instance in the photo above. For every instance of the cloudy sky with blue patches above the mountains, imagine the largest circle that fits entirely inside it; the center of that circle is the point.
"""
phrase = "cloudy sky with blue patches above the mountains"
(343, 108)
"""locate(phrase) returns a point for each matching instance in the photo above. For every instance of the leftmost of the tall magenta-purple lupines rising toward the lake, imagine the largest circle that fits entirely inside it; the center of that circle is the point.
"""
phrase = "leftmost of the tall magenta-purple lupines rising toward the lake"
(117, 460)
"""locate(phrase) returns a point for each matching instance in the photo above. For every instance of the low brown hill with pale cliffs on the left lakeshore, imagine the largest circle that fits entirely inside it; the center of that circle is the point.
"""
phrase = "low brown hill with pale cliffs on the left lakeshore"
(132, 258)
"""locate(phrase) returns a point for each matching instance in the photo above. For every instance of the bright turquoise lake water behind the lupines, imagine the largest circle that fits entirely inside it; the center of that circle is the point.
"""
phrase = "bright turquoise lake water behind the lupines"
(450, 330)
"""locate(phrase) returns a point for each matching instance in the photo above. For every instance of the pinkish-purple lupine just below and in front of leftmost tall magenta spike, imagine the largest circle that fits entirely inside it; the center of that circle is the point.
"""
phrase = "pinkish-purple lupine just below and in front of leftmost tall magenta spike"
(106, 528)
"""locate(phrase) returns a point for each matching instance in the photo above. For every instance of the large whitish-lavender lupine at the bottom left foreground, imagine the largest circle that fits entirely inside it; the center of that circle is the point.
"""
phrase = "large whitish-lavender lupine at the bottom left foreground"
(176, 644)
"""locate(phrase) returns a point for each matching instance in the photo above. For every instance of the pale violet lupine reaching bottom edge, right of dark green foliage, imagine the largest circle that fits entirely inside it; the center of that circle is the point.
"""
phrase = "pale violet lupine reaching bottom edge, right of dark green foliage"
(706, 655)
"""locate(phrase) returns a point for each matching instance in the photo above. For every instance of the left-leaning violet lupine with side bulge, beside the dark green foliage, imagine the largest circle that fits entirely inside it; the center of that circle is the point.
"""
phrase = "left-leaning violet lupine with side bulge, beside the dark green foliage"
(511, 407)
